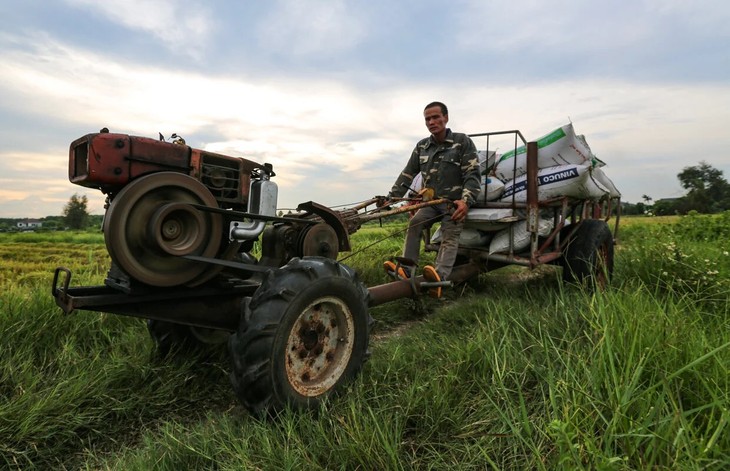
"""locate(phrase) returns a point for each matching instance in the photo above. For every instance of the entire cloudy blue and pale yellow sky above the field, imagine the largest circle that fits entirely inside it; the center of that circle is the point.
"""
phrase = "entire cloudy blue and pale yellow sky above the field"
(331, 93)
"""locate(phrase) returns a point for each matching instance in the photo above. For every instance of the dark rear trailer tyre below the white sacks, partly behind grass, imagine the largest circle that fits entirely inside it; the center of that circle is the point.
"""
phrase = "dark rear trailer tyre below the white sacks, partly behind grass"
(589, 254)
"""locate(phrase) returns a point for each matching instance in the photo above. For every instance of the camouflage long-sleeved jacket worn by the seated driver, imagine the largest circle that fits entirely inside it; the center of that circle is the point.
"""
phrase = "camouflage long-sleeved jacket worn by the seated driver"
(451, 168)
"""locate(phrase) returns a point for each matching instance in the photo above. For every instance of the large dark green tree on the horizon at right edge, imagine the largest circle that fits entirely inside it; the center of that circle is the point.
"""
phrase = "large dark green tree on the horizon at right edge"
(708, 191)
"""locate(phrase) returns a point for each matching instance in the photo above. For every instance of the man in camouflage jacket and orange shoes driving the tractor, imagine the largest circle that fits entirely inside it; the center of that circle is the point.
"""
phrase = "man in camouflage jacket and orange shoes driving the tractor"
(449, 166)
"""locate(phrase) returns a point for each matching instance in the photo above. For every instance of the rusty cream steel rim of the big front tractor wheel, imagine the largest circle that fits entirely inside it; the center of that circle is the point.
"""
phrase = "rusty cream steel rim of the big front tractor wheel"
(319, 346)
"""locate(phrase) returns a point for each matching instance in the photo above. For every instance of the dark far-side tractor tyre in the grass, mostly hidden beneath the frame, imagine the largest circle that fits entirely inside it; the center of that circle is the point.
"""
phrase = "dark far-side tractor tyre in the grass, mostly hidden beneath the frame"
(169, 335)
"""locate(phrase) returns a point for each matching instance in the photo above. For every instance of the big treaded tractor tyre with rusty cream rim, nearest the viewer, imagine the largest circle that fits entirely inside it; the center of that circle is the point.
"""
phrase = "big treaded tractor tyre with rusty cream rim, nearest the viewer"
(303, 334)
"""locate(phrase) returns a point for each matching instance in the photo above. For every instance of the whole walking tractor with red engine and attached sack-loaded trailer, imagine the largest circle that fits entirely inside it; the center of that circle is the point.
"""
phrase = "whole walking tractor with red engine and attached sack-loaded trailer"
(181, 224)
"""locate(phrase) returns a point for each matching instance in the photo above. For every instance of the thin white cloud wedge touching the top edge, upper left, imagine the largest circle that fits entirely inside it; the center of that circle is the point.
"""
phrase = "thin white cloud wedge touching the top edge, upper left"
(182, 25)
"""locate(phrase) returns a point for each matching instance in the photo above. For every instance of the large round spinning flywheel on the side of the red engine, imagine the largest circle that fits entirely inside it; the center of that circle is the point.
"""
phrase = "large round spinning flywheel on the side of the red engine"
(150, 224)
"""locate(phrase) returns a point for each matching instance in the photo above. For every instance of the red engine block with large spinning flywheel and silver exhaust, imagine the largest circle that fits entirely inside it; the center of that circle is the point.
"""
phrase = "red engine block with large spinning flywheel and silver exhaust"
(168, 204)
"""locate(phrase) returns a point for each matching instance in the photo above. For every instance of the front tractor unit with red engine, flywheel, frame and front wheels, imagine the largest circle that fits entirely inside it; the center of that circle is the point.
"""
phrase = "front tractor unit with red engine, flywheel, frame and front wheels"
(180, 227)
